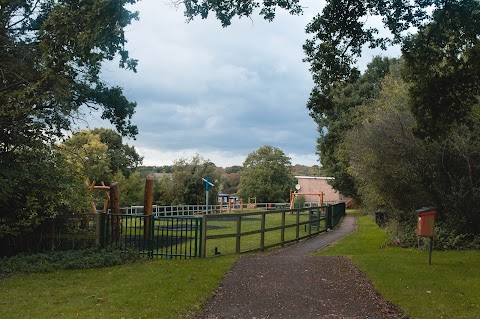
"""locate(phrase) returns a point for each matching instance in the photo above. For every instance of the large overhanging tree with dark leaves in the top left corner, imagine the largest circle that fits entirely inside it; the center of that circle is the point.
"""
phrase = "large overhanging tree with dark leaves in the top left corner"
(51, 53)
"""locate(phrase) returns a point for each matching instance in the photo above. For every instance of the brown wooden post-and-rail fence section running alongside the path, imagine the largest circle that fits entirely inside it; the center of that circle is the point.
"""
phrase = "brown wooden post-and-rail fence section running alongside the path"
(259, 230)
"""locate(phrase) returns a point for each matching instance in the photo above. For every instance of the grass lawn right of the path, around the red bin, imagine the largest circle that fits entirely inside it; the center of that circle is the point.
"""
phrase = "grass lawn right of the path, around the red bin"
(449, 288)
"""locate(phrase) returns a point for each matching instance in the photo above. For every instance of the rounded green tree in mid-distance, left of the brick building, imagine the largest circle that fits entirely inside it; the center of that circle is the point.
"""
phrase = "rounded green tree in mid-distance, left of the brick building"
(267, 175)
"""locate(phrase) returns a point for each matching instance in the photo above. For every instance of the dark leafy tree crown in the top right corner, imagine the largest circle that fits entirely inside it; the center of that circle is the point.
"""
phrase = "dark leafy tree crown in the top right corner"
(442, 64)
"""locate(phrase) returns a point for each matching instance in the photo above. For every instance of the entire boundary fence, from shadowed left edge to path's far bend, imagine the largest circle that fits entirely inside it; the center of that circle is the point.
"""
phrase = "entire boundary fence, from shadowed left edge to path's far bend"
(177, 232)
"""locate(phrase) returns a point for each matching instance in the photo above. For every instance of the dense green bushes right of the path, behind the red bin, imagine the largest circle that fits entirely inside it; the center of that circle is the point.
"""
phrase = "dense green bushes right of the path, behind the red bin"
(397, 171)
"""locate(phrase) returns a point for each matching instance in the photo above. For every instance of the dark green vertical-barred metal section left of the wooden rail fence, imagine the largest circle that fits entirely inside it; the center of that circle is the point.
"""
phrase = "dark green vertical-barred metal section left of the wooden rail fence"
(153, 236)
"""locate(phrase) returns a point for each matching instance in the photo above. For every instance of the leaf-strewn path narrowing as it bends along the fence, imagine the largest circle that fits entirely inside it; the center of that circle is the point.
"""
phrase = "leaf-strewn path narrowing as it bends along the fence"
(289, 284)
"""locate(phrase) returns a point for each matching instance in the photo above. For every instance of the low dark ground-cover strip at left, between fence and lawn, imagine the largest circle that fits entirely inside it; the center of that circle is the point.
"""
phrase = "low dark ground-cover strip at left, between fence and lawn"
(74, 259)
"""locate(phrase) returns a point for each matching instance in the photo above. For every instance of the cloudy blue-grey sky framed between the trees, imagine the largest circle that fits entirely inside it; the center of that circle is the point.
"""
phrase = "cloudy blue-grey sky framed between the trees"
(217, 92)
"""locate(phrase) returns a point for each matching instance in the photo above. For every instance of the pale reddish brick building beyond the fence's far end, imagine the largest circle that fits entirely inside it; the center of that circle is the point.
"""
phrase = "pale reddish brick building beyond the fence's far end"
(317, 184)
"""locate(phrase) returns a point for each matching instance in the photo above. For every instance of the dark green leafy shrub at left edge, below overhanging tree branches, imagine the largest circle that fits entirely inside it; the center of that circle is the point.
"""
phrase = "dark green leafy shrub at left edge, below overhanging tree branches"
(43, 187)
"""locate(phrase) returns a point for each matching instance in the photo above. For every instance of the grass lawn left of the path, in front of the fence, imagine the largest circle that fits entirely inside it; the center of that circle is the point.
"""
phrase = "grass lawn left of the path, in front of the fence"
(149, 289)
